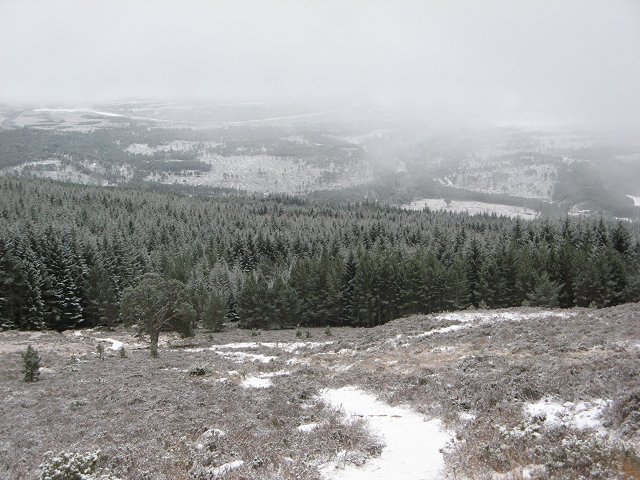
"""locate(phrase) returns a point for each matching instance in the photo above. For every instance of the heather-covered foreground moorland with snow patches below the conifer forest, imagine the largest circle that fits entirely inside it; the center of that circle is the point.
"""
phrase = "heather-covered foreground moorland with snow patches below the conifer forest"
(517, 393)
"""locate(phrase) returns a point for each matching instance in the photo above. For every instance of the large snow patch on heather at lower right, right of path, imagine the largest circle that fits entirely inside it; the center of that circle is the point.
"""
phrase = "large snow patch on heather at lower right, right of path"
(580, 415)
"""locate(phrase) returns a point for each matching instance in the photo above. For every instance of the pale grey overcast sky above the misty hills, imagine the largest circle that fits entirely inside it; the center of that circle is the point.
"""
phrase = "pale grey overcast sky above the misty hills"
(570, 57)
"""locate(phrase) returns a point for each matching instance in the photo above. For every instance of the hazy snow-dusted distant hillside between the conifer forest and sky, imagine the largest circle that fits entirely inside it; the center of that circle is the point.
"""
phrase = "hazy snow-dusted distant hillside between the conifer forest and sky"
(339, 152)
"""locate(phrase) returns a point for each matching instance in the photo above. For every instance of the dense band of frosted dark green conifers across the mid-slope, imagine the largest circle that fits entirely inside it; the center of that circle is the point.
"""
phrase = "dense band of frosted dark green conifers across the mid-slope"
(70, 253)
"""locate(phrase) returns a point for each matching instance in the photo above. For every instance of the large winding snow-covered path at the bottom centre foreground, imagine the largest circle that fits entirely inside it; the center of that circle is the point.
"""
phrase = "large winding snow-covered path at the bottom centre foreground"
(412, 450)
